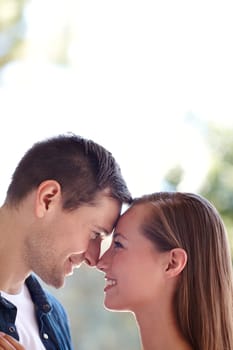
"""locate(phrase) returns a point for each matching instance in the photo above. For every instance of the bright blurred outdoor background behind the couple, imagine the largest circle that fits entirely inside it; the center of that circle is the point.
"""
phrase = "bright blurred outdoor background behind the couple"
(152, 81)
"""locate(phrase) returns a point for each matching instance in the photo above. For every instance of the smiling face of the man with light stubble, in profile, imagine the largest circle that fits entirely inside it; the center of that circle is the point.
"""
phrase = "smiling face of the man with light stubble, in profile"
(63, 239)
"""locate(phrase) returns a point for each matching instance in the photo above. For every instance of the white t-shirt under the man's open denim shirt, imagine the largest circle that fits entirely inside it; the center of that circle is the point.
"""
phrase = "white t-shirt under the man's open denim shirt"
(25, 322)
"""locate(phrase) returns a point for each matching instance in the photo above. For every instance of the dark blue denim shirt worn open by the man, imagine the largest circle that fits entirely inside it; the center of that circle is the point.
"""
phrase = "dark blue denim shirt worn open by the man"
(51, 316)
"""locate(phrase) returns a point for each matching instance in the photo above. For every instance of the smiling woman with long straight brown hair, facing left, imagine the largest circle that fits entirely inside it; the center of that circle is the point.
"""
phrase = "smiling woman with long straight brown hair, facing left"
(169, 263)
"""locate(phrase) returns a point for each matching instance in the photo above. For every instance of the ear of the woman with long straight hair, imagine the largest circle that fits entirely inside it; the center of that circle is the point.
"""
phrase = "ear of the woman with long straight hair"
(176, 262)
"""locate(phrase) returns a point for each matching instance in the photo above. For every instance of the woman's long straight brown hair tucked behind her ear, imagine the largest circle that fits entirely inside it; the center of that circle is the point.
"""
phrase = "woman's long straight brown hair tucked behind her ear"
(204, 298)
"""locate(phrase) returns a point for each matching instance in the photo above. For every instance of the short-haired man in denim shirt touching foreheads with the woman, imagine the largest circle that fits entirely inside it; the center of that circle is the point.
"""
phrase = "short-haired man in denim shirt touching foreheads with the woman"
(65, 196)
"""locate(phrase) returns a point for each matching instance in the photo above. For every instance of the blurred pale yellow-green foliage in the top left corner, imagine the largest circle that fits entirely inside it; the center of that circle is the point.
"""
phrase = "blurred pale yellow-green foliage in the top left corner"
(12, 29)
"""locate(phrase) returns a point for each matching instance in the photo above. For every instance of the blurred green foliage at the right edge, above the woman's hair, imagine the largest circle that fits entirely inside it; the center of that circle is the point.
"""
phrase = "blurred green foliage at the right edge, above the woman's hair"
(218, 184)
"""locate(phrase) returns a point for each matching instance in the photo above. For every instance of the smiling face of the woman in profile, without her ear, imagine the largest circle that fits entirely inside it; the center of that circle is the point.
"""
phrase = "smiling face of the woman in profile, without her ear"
(133, 267)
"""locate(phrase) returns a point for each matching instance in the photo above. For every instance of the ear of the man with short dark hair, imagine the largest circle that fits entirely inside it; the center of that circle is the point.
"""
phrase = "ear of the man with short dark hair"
(48, 193)
